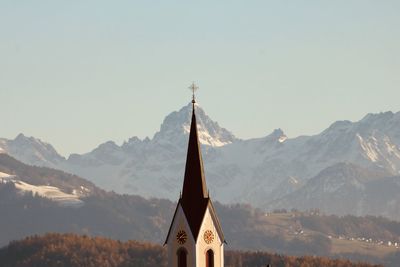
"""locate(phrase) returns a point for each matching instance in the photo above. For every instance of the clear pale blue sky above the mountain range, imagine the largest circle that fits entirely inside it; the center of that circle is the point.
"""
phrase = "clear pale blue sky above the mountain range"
(79, 73)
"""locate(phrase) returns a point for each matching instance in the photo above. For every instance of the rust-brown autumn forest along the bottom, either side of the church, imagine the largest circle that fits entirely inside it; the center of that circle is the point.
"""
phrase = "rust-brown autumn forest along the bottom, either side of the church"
(72, 250)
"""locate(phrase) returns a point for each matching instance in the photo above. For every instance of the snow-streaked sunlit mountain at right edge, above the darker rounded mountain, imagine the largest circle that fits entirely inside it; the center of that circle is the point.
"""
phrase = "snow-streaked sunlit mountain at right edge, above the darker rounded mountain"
(372, 141)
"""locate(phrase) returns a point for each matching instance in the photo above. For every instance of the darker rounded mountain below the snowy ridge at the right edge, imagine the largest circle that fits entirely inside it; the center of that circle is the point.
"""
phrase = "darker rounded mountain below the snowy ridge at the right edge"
(347, 189)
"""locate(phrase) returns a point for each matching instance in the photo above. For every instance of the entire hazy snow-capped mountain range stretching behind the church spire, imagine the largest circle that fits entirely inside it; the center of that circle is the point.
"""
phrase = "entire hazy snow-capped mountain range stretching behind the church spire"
(260, 171)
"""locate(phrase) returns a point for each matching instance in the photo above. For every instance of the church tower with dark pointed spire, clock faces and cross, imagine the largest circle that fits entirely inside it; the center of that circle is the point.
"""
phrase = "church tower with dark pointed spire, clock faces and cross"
(195, 237)
